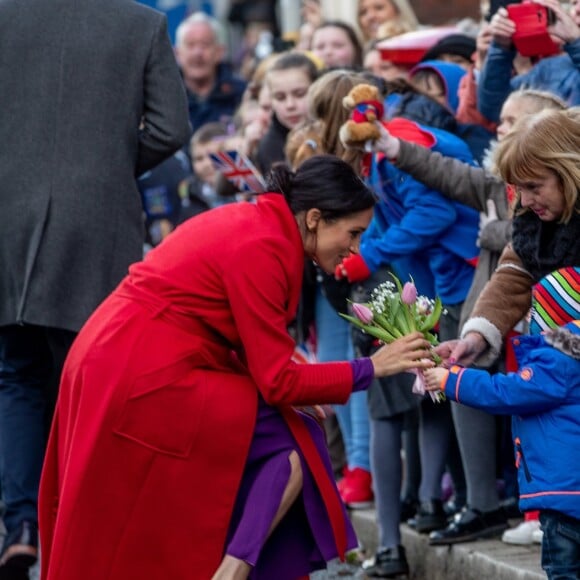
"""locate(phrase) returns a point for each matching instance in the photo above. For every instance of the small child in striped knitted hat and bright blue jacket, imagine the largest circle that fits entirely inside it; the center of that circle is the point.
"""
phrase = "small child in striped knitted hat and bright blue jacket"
(543, 398)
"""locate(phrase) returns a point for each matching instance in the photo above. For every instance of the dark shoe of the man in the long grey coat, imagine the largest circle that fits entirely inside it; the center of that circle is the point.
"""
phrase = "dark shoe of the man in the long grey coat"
(20, 551)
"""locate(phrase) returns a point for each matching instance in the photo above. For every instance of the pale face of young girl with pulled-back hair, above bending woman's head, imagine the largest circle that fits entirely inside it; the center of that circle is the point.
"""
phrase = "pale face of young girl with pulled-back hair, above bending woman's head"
(288, 90)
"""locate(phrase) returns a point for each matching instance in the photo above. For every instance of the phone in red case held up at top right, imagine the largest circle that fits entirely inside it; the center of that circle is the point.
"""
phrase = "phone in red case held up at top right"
(531, 37)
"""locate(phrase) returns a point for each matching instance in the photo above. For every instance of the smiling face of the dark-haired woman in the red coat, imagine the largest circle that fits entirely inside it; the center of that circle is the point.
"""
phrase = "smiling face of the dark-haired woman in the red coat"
(336, 239)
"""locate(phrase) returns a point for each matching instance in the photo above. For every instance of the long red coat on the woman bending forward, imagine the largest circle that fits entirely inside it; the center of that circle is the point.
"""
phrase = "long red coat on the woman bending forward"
(155, 414)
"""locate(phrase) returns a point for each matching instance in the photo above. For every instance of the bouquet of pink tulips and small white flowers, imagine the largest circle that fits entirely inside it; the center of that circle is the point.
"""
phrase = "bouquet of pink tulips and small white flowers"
(395, 310)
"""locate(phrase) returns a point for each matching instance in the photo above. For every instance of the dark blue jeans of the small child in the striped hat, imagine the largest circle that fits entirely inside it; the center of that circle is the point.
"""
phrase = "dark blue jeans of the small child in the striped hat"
(560, 545)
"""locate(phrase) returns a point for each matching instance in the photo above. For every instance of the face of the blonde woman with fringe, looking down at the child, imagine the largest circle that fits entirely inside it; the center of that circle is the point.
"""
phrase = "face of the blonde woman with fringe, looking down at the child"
(543, 195)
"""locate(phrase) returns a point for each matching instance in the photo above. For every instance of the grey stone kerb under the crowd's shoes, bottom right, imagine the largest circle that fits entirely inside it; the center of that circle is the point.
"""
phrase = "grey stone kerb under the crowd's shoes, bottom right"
(488, 559)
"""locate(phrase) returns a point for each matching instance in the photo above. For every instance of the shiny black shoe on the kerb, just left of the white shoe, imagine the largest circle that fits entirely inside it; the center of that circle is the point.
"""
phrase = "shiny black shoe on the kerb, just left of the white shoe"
(469, 525)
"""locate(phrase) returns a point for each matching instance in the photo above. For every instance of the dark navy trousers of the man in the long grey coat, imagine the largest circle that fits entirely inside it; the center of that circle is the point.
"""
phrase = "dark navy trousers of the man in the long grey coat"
(31, 361)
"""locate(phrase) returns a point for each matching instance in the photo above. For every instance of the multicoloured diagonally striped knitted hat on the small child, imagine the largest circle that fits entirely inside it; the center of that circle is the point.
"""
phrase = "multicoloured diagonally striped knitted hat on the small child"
(555, 300)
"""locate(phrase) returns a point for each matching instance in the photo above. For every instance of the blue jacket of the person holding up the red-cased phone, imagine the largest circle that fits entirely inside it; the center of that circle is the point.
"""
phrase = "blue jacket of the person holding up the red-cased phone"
(557, 74)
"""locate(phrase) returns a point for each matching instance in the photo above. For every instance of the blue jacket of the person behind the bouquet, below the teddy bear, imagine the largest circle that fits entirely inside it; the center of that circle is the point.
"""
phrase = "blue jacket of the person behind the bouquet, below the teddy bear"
(417, 228)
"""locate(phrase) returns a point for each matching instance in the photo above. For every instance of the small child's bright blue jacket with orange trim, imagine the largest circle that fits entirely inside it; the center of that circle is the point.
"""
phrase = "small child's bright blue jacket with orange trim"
(544, 399)
